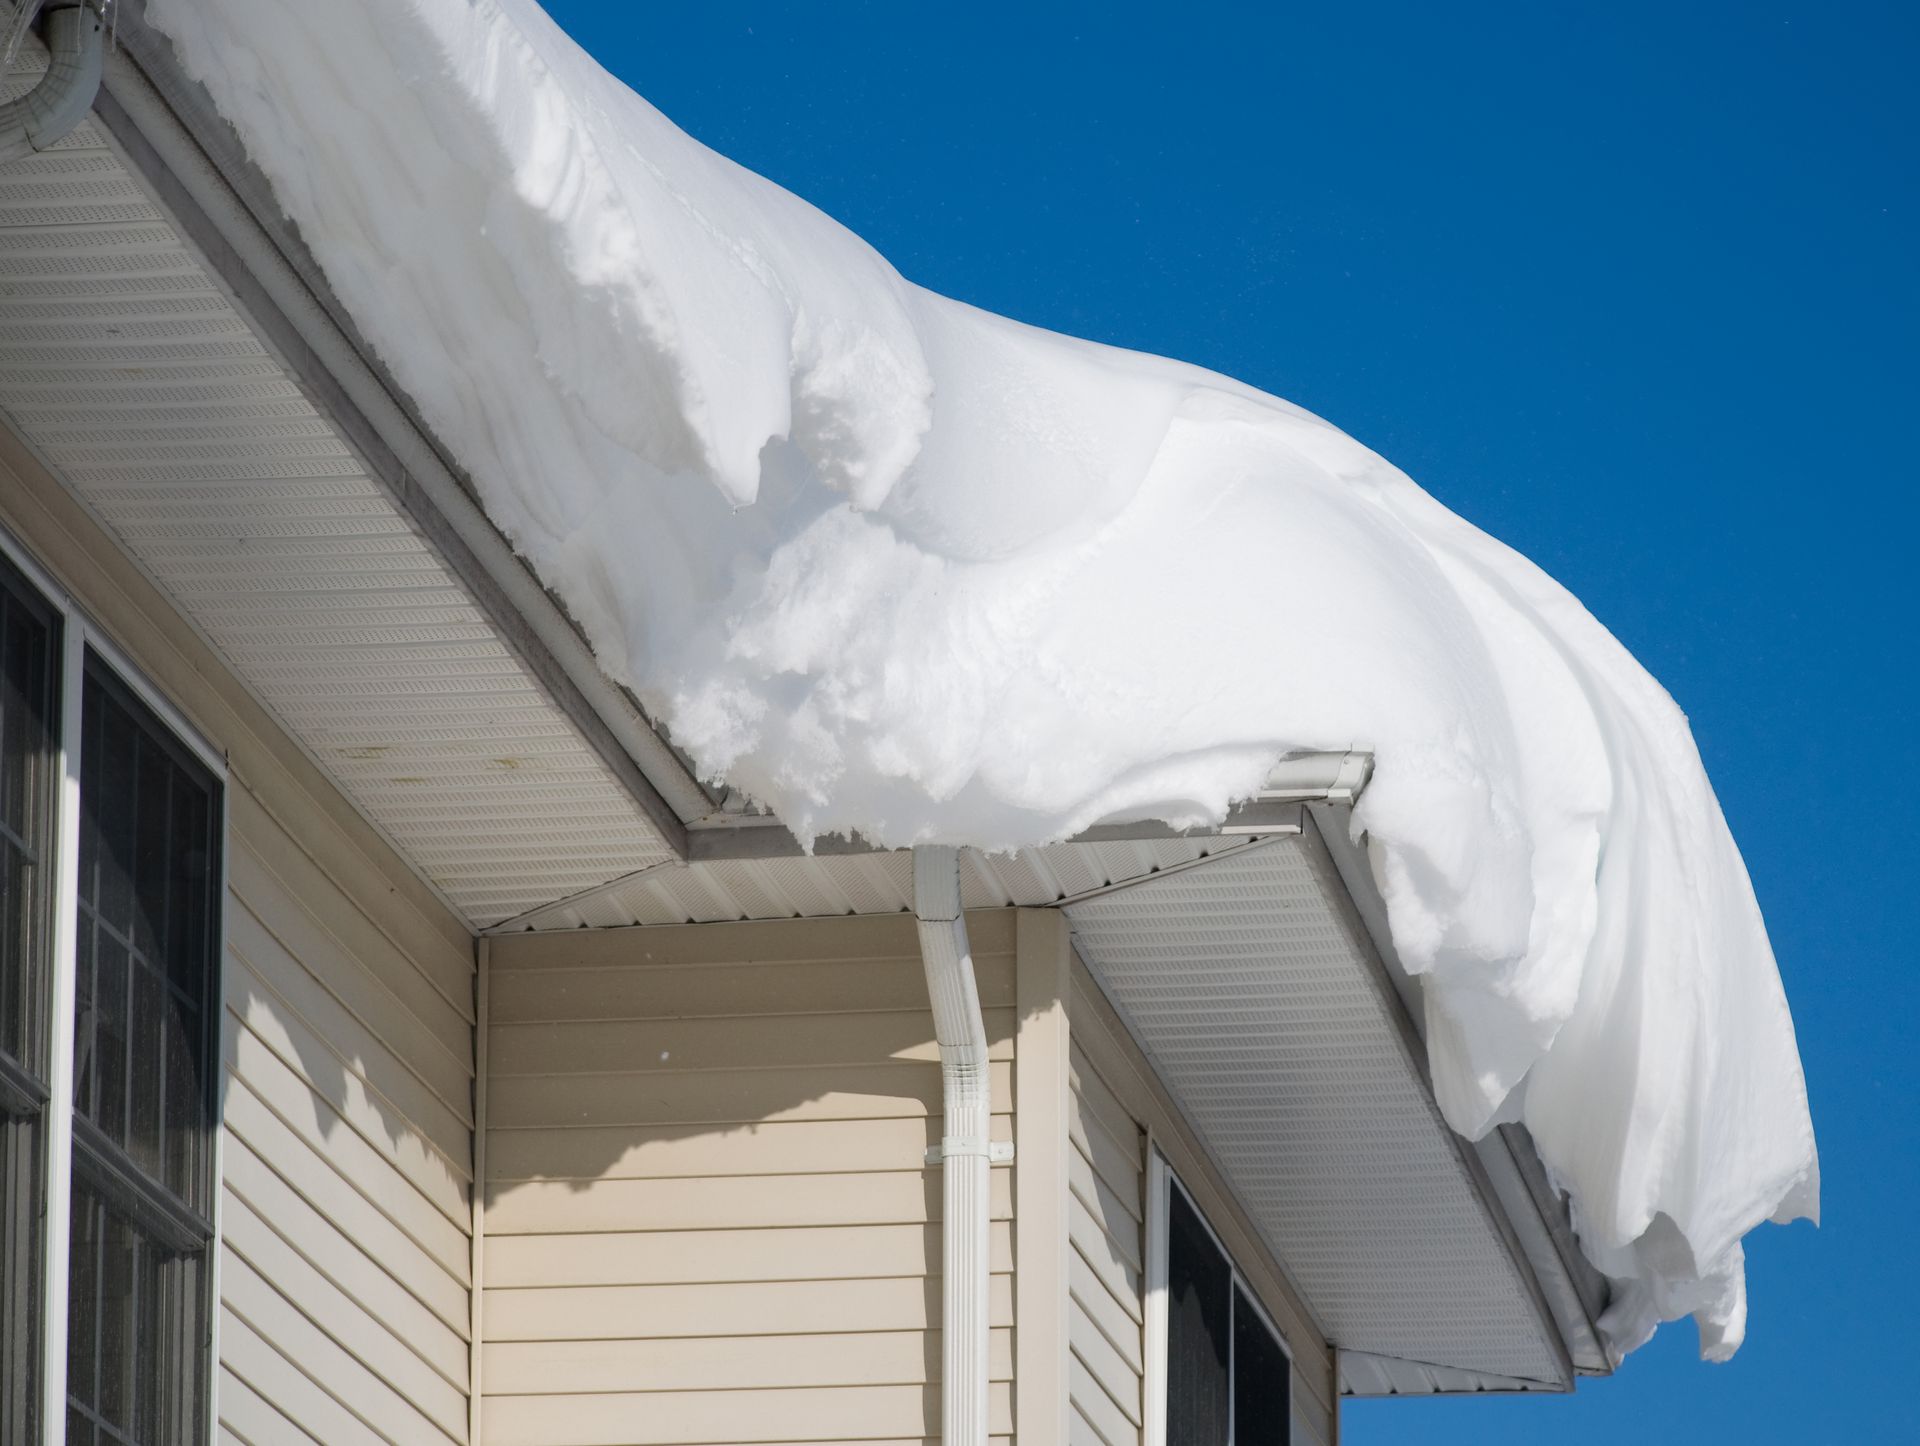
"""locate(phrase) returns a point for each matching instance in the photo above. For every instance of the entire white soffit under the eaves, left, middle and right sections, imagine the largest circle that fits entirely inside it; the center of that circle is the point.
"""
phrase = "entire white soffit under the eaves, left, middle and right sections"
(235, 479)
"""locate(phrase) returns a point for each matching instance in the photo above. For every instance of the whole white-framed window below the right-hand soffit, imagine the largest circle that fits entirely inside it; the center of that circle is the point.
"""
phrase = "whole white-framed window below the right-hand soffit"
(1218, 1372)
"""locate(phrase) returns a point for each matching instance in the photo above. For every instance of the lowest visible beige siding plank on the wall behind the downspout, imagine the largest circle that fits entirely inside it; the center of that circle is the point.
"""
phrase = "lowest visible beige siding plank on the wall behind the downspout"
(706, 1418)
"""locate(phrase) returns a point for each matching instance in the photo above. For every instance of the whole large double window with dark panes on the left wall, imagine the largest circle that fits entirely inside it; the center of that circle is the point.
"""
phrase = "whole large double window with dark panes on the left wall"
(110, 888)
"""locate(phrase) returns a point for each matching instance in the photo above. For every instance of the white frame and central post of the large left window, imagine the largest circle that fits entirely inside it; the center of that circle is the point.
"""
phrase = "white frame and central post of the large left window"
(80, 637)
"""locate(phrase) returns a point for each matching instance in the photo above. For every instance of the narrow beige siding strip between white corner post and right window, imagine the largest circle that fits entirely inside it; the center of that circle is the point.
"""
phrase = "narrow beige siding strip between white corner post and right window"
(1107, 1203)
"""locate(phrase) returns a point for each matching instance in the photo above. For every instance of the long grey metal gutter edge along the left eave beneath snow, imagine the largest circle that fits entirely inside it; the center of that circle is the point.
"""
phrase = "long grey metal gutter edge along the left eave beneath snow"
(174, 137)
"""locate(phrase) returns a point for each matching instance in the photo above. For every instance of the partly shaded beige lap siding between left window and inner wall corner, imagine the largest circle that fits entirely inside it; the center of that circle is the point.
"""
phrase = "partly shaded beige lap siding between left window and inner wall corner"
(345, 1217)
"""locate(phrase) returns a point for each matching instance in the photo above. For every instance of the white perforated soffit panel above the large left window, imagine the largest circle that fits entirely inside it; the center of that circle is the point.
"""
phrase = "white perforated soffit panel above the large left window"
(128, 368)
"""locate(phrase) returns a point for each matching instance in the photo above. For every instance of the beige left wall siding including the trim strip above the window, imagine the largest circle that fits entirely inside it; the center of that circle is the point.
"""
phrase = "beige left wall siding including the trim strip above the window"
(347, 1057)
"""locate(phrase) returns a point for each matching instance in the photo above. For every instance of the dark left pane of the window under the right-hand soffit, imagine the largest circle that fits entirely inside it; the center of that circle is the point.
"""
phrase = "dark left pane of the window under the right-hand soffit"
(1199, 1322)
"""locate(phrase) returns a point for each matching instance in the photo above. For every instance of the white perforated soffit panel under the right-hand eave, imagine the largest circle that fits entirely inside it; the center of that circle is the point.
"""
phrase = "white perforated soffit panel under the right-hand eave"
(1259, 1005)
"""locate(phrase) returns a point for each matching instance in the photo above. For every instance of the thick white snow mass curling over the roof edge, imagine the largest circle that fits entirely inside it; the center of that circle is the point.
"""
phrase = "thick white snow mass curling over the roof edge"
(898, 566)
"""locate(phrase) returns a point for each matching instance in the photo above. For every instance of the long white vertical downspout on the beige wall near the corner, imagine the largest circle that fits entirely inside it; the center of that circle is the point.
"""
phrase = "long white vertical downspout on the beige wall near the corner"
(965, 1153)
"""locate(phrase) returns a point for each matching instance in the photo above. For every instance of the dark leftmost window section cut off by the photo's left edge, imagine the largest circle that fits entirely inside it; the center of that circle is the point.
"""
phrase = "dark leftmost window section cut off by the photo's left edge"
(30, 656)
